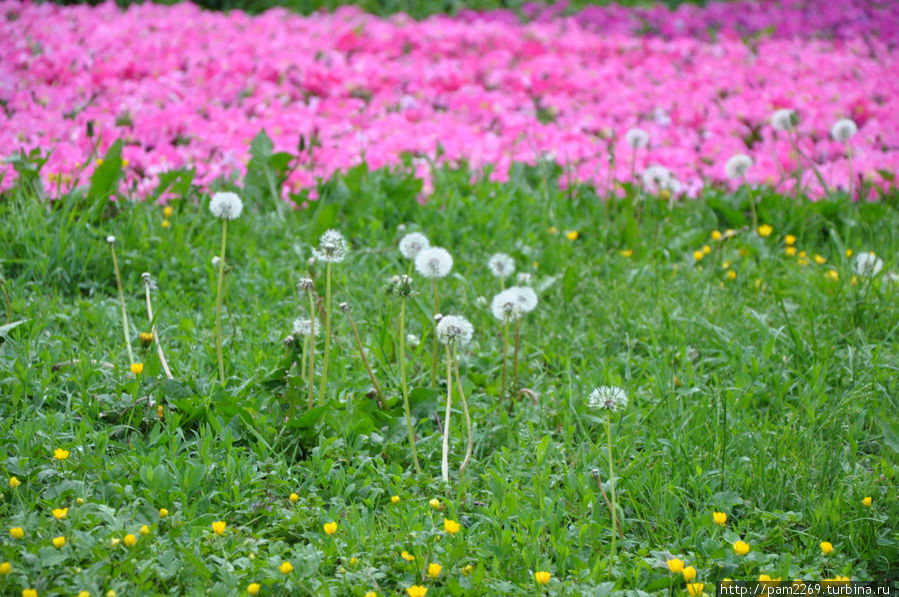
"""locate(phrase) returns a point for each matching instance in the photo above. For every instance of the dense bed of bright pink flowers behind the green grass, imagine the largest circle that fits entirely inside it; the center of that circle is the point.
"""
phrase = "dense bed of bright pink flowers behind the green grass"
(183, 87)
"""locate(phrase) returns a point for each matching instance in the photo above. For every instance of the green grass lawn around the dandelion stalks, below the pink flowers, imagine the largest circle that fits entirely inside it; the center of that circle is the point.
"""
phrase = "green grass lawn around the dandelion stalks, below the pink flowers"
(771, 397)
